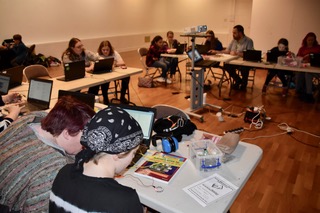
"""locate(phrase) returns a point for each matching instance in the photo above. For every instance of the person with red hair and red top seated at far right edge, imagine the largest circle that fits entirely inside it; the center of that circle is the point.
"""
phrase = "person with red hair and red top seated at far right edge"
(304, 80)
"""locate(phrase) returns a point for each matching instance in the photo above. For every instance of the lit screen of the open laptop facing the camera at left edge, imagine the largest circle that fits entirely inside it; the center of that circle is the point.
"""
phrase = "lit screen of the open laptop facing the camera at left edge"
(40, 90)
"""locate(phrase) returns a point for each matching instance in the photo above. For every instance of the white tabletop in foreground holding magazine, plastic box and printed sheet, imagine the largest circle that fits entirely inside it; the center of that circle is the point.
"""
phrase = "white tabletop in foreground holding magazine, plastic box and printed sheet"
(174, 199)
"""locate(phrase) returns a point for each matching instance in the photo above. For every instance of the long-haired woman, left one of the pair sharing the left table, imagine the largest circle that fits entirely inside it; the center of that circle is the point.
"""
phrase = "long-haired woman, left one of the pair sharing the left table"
(77, 52)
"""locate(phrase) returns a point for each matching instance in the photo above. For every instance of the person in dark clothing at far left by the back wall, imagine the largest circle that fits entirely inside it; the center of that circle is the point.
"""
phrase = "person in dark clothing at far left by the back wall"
(20, 50)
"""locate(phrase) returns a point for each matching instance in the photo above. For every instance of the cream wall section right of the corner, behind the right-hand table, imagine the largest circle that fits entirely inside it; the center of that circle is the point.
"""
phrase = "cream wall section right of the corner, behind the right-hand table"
(291, 19)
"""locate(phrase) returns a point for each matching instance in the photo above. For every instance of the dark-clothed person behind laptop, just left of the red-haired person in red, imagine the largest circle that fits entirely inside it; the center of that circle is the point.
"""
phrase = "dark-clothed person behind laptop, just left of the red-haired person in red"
(280, 50)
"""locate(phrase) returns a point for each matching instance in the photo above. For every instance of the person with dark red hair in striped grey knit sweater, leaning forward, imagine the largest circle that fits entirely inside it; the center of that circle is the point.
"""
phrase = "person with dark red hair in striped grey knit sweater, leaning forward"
(34, 148)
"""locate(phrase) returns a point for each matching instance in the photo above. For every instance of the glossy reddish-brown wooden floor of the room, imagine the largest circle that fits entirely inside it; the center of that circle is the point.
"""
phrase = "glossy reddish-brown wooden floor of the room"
(288, 176)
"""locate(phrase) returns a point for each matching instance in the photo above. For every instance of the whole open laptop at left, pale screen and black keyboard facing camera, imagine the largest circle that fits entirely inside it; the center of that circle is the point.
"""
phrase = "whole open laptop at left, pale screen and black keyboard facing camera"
(39, 95)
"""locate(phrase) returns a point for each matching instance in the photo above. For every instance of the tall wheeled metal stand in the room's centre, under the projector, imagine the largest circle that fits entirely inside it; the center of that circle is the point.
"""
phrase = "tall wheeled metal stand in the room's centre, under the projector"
(197, 80)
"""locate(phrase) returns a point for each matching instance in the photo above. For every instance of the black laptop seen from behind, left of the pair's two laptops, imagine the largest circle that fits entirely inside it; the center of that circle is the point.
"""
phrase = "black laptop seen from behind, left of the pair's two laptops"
(73, 71)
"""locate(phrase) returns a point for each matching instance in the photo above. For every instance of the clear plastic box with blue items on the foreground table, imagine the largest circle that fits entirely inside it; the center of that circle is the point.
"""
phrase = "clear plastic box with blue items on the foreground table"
(205, 155)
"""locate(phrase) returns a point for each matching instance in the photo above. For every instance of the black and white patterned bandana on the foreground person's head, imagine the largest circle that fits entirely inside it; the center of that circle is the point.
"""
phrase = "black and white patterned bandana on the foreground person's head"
(111, 130)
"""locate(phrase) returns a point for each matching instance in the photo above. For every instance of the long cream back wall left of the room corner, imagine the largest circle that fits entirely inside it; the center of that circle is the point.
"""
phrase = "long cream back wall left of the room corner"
(51, 23)
